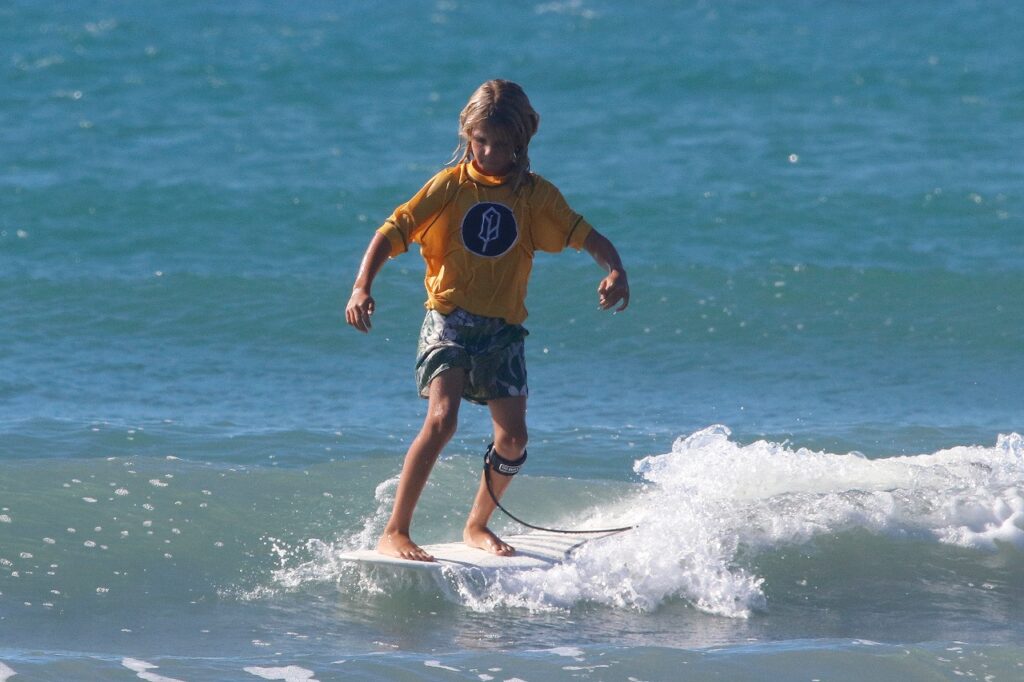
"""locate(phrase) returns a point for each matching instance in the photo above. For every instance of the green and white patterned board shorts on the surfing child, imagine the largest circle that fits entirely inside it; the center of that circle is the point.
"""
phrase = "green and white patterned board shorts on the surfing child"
(491, 351)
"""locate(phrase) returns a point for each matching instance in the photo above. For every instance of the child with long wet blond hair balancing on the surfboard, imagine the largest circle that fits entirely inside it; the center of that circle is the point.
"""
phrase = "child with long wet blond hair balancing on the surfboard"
(479, 224)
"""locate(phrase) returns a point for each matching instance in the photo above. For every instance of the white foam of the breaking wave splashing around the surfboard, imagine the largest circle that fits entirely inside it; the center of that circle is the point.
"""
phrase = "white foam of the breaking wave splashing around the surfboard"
(710, 503)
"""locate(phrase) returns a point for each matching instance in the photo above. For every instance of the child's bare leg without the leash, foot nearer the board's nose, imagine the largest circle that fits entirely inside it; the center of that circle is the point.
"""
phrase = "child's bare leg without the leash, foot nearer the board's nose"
(439, 428)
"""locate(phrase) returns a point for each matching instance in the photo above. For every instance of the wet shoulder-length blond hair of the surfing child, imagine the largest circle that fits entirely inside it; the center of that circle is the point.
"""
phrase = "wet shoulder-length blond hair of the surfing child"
(506, 109)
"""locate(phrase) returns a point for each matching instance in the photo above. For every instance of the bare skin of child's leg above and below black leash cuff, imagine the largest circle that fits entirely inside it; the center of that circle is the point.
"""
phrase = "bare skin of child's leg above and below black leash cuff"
(509, 417)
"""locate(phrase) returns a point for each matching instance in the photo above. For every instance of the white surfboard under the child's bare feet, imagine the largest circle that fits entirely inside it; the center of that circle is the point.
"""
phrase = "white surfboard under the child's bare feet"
(534, 550)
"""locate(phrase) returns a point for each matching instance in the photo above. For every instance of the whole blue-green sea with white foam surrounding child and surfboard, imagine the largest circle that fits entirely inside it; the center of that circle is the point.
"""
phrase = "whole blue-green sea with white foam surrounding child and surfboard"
(813, 409)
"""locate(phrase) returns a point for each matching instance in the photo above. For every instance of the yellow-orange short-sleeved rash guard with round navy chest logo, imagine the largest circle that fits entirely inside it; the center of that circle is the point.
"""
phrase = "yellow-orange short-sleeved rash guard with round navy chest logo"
(479, 238)
